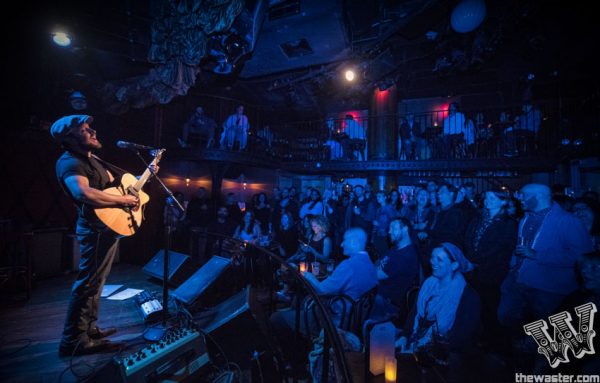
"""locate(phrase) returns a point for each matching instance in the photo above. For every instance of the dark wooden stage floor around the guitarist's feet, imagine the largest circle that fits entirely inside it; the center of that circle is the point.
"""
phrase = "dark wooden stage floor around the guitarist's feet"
(31, 330)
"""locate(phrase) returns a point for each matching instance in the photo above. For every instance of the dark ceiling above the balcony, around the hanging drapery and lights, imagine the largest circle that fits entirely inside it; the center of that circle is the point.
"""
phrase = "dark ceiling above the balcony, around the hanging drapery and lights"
(289, 54)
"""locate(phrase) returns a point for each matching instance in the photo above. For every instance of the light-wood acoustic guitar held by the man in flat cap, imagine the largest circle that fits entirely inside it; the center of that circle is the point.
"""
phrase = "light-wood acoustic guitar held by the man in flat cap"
(126, 221)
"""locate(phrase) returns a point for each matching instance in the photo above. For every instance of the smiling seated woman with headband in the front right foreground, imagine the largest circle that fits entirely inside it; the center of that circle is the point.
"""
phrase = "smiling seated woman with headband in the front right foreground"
(446, 322)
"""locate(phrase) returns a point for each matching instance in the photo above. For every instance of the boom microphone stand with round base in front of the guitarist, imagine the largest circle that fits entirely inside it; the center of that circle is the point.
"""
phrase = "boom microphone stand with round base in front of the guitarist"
(155, 333)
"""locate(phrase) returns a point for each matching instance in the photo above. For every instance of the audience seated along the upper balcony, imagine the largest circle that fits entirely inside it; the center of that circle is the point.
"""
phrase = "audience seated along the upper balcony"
(447, 133)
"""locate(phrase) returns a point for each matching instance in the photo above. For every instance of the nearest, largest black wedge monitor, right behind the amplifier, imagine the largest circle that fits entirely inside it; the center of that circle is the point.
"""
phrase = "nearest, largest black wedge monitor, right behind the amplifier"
(234, 329)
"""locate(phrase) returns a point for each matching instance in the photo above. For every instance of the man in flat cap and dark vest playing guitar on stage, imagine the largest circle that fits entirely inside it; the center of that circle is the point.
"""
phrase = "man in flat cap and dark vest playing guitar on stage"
(83, 177)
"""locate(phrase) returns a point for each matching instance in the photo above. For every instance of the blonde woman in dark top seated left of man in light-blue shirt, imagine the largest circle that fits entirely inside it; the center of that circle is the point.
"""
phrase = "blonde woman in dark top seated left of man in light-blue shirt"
(318, 248)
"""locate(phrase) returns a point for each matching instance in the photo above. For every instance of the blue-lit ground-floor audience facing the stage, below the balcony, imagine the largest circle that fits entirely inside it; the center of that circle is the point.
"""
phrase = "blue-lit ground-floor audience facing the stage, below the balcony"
(486, 263)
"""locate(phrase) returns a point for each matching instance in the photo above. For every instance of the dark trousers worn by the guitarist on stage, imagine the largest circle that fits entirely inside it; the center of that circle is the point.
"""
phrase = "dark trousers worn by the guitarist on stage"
(98, 251)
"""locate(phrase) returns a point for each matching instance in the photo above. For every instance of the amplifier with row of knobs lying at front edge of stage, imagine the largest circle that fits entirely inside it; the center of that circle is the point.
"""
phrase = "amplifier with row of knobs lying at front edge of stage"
(176, 358)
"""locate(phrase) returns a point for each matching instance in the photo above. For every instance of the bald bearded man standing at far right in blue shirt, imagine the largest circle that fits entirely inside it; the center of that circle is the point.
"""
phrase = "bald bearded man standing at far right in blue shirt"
(550, 240)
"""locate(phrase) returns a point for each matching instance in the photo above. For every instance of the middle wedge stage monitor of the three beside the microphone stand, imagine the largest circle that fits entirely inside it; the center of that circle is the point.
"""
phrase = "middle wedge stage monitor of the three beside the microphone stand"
(203, 281)
